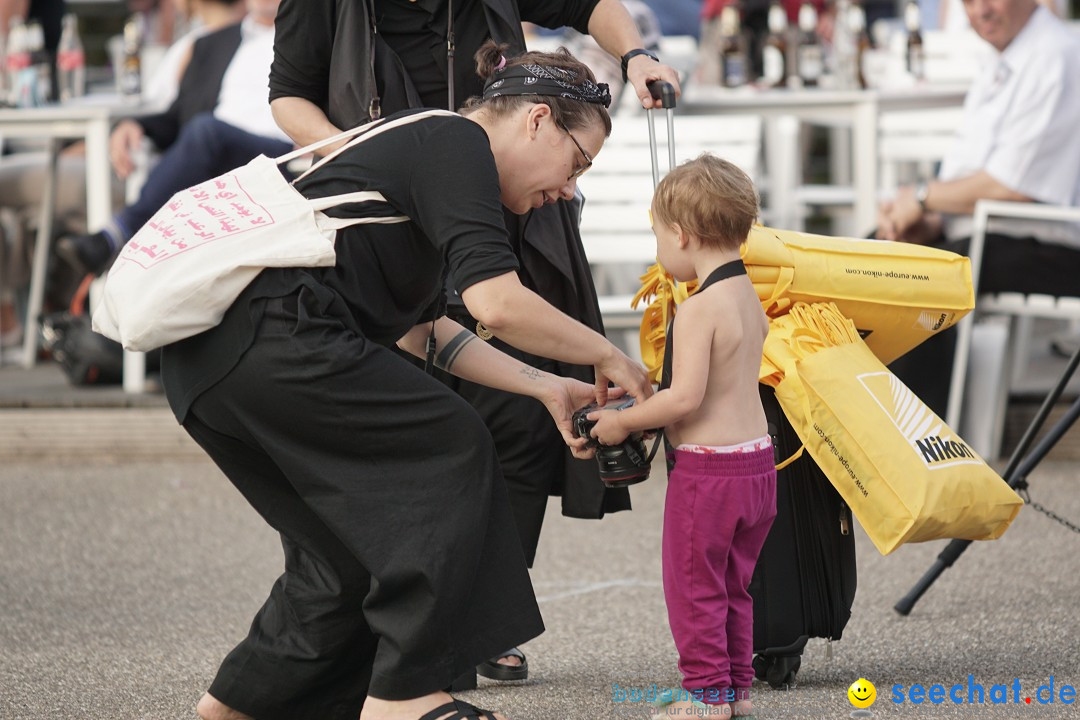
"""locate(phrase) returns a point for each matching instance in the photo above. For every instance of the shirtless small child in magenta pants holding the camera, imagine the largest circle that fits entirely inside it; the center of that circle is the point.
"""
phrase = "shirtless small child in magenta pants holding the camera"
(722, 488)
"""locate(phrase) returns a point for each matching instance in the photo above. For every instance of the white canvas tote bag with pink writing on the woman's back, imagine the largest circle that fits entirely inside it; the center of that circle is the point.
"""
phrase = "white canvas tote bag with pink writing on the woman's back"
(183, 270)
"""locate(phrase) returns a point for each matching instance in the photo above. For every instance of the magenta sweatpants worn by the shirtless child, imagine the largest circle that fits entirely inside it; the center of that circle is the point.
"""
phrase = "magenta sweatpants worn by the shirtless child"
(719, 512)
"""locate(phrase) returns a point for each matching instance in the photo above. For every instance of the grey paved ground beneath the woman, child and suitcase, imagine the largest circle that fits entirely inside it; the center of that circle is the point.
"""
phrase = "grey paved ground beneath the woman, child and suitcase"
(124, 585)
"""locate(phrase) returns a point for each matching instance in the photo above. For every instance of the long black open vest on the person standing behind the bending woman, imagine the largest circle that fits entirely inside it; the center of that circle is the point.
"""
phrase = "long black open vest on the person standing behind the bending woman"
(547, 242)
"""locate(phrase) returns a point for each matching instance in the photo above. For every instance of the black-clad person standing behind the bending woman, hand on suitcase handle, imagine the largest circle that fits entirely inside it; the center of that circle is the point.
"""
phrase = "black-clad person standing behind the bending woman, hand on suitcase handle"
(340, 63)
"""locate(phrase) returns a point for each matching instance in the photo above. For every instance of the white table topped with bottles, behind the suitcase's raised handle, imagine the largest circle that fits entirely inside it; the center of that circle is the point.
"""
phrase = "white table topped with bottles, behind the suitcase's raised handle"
(860, 108)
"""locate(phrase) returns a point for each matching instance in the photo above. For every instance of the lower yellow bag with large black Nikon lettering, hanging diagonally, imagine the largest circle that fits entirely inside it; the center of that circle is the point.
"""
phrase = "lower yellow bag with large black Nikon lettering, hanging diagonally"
(904, 473)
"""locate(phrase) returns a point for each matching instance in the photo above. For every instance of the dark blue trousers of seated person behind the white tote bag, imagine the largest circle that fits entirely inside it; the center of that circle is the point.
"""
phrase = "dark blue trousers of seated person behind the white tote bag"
(205, 150)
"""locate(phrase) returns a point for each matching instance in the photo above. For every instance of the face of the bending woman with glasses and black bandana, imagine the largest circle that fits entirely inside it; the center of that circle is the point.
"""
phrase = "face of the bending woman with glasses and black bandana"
(546, 164)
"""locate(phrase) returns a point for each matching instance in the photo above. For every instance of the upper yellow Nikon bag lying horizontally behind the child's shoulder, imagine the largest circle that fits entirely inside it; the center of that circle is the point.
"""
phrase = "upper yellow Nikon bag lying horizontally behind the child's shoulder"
(898, 294)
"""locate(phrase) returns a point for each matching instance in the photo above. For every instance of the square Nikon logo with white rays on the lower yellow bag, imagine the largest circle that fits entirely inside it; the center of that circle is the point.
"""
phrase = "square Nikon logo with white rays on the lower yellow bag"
(925, 432)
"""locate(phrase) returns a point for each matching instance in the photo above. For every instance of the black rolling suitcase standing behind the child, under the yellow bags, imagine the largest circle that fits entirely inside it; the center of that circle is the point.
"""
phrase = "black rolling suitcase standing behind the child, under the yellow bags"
(804, 583)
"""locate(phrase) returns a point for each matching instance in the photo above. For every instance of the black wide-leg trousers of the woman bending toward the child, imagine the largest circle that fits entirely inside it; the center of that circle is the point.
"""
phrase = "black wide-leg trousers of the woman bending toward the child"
(403, 568)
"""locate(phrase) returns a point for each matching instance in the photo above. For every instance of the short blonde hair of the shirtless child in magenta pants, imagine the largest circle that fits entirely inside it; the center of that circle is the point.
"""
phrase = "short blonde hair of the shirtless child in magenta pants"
(709, 198)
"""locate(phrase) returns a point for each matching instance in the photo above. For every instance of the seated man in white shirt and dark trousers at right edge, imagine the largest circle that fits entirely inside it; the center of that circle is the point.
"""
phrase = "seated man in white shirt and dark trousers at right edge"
(1019, 142)
